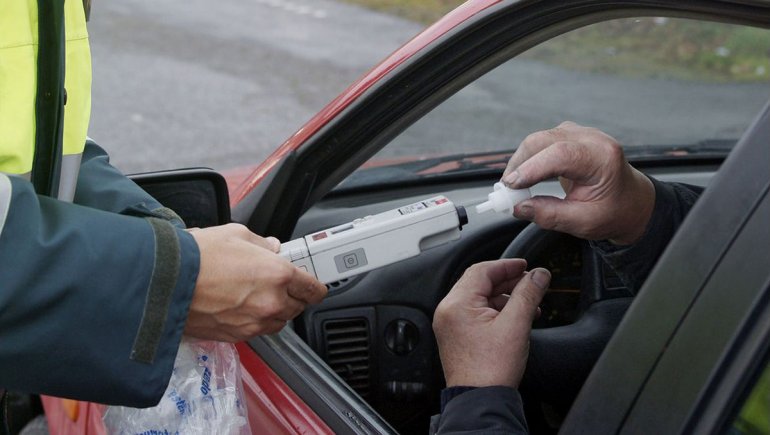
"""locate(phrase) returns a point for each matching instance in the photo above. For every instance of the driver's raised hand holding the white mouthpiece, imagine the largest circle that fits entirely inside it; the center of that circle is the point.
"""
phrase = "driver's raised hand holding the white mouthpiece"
(605, 198)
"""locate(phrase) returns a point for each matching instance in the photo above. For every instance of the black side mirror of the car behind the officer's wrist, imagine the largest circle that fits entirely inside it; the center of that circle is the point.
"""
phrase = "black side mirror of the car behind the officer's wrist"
(199, 195)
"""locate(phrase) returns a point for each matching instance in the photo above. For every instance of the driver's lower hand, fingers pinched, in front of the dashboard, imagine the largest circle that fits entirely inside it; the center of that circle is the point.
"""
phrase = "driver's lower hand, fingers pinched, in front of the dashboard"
(482, 326)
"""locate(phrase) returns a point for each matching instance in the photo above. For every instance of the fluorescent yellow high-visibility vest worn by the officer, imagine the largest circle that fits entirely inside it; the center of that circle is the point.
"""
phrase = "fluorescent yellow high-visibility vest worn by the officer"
(18, 88)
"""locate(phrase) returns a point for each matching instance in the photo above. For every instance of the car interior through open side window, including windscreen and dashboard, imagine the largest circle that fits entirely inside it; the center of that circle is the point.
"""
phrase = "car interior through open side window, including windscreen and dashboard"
(677, 124)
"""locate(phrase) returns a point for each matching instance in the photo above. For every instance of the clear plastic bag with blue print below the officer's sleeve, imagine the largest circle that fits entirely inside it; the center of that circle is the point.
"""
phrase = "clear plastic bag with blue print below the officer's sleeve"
(204, 396)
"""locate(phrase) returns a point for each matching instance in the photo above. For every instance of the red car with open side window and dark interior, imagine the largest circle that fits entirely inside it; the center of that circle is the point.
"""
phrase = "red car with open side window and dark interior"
(670, 80)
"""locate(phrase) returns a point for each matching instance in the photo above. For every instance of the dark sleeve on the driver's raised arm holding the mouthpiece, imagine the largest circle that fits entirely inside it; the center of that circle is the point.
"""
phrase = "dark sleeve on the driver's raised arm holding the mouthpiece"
(634, 262)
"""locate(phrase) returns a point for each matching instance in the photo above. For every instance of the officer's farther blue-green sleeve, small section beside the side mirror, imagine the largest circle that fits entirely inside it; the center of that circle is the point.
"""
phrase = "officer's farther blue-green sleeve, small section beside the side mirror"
(102, 186)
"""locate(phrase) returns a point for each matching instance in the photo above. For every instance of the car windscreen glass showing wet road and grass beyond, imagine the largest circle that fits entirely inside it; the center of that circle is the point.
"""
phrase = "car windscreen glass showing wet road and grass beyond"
(645, 81)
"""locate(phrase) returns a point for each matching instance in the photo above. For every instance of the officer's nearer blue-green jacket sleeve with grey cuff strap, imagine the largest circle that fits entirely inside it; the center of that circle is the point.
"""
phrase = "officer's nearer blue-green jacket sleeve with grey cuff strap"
(92, 303)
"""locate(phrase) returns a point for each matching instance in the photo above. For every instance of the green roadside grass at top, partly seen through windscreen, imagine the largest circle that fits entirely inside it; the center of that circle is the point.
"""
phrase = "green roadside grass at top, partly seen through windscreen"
(645, 47)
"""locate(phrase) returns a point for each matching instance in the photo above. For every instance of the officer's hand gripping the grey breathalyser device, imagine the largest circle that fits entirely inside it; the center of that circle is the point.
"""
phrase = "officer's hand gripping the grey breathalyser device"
(244, 287)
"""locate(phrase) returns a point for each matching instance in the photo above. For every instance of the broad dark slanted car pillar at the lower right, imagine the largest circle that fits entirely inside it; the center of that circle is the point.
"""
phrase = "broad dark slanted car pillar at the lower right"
(697, 336)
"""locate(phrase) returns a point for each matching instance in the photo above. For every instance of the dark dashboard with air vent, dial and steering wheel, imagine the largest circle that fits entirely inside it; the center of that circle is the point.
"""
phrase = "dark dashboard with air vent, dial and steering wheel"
(374, 330)
